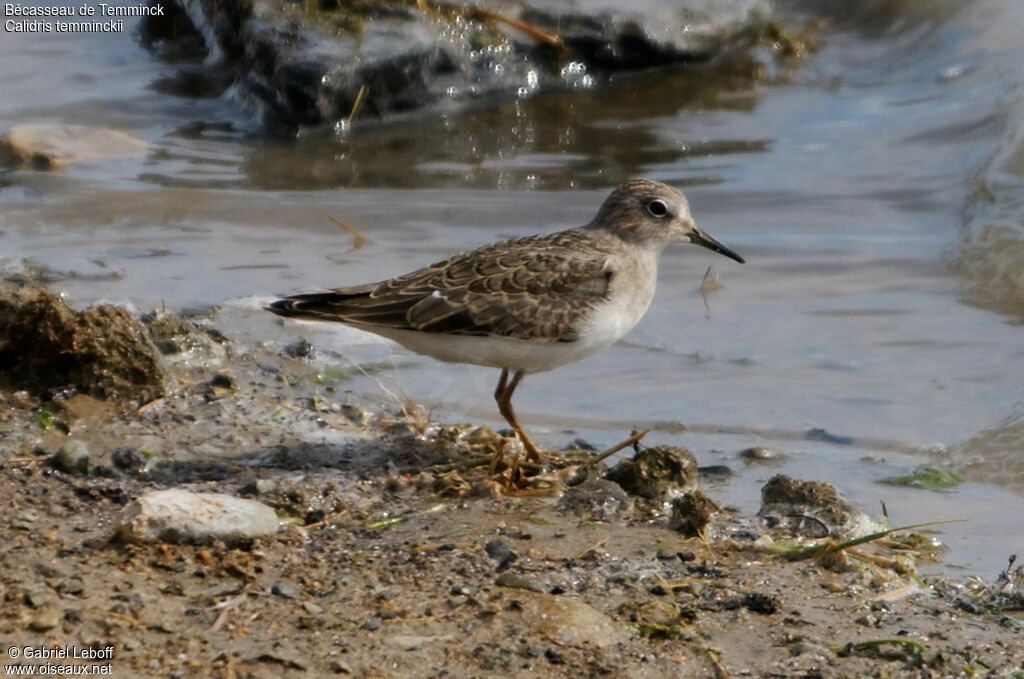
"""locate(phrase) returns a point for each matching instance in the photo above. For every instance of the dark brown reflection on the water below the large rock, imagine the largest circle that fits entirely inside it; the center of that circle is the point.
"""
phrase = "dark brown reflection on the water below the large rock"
(553, 141)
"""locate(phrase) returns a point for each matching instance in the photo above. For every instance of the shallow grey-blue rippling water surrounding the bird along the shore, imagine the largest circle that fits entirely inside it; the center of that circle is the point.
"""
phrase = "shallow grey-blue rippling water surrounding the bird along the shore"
(876, 189)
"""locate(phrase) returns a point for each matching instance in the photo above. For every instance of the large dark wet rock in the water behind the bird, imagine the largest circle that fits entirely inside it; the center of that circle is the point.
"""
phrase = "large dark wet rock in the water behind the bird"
(325, 63)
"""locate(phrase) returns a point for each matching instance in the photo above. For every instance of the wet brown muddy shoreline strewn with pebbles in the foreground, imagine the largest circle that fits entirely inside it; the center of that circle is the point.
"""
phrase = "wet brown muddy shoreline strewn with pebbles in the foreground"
(383, 570)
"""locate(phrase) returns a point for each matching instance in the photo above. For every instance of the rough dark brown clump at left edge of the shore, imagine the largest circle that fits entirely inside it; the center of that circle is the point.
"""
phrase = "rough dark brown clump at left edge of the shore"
(103, 351)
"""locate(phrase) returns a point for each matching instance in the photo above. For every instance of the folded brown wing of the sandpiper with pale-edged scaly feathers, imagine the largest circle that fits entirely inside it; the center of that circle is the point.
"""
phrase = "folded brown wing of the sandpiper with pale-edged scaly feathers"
(533, 288)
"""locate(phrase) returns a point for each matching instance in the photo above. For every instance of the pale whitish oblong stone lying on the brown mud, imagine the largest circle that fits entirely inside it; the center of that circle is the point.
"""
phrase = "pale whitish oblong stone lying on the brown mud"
(182, 517)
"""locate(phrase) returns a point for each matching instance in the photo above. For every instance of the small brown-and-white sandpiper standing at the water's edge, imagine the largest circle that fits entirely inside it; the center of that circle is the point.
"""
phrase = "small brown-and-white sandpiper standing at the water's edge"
(529, 305)
